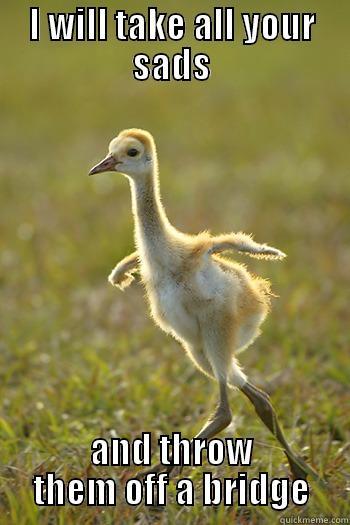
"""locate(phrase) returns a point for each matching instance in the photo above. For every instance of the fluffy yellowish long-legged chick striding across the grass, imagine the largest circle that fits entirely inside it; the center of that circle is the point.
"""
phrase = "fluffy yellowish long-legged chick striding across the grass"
(210, 304)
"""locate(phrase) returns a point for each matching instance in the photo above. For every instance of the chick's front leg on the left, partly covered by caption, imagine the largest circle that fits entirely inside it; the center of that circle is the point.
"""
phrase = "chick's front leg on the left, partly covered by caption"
(219, 420)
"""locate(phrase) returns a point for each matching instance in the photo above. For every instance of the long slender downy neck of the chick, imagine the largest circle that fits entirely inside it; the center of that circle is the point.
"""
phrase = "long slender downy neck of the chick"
(152, 226)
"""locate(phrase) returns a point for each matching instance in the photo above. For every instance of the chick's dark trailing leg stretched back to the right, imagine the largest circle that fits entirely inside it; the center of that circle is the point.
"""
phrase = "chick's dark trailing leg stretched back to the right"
(268, 416)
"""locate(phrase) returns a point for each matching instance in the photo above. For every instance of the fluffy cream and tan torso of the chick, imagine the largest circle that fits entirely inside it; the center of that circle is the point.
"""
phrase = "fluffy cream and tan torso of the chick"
(191, 292)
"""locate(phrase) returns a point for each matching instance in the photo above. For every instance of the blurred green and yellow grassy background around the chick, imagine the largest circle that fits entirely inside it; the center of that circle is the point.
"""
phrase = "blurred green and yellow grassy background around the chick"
(263, 146)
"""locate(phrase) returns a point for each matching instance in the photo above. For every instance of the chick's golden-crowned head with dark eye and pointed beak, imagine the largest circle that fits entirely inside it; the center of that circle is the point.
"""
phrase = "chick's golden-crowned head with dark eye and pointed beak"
(131, 153)
